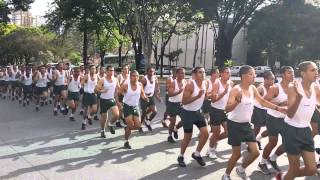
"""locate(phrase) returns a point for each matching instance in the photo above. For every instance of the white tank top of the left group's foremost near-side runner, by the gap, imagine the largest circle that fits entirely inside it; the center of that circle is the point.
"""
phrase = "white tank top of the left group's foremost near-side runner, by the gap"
(131, 97)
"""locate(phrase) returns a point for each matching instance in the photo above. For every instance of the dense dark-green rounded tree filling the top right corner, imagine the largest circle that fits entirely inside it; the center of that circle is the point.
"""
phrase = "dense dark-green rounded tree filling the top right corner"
(284, 32)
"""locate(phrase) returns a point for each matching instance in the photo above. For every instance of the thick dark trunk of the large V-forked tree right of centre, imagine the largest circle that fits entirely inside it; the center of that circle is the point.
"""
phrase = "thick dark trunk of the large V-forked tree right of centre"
(224, 49)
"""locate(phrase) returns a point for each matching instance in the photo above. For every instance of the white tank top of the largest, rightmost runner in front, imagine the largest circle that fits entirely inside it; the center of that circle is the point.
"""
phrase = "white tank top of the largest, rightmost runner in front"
(302, 117)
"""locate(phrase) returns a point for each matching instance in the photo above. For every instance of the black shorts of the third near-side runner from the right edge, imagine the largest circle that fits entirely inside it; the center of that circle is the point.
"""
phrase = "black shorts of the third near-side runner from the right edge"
(190, 118)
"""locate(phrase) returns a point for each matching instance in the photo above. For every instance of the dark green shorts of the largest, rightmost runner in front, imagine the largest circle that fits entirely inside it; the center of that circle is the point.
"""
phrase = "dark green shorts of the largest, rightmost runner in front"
(295, 140)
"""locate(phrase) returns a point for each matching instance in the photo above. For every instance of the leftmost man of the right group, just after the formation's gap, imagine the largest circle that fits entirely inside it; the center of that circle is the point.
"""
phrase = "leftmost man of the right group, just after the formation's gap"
(175, 92)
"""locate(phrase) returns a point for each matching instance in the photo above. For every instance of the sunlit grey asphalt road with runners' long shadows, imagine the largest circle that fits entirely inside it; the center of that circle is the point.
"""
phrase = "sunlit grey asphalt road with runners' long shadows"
(37, 145)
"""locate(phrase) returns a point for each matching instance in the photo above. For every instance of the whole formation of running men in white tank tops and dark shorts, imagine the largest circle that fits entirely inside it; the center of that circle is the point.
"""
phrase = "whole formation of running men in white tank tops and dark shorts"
(236, 112)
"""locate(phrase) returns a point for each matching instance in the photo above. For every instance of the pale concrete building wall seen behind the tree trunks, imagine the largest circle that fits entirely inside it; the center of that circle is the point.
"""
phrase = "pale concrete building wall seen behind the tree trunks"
(206, 38)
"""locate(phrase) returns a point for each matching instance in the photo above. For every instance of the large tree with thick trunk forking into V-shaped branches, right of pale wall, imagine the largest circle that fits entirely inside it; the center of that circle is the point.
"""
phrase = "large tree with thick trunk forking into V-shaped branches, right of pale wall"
(231, 16)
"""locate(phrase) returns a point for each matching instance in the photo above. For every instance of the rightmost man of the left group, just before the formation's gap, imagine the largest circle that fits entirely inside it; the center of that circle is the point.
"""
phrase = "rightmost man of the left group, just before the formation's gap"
(151, 88)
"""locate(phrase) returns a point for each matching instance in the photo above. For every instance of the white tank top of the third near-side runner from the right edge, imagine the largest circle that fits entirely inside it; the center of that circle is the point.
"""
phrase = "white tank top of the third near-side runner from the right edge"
(197, 104)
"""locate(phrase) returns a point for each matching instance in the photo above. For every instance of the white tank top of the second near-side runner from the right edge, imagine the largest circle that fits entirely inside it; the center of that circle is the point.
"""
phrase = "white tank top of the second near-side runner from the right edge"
(243, 111)
